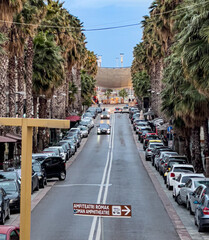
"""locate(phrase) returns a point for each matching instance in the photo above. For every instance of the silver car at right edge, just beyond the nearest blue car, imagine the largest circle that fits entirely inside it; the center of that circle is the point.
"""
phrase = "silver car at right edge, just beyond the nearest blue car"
(197, 195)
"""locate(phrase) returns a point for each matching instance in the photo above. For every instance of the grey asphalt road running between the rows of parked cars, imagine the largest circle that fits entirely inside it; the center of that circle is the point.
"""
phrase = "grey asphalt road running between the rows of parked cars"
(108, 170)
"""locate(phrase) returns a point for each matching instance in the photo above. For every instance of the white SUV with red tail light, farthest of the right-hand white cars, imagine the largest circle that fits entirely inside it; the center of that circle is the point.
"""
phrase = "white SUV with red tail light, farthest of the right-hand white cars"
(176, 169)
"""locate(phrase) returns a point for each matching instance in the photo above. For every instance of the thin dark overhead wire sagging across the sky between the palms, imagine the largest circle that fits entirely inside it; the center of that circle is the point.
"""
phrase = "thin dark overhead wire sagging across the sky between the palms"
(106, 28)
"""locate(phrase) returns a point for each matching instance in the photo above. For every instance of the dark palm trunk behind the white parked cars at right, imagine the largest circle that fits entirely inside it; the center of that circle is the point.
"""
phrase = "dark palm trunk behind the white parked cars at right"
(196, 150)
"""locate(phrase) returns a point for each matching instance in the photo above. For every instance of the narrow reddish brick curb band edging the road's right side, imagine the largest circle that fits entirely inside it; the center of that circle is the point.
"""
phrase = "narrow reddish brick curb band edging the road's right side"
(178, 225)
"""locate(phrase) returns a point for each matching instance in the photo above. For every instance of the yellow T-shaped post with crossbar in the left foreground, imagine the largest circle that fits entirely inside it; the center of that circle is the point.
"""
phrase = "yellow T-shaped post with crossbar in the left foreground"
(26, 163)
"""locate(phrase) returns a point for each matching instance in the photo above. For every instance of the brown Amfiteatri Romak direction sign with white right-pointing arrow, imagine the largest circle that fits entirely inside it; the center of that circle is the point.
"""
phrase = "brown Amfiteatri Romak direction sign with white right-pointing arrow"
(102, 210)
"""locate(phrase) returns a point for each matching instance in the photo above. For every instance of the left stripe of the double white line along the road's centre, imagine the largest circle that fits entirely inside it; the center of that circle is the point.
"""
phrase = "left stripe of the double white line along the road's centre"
(93, 225)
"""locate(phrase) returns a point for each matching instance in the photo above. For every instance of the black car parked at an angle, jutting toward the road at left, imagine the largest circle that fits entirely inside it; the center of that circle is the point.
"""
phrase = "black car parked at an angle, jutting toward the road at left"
(54, 167)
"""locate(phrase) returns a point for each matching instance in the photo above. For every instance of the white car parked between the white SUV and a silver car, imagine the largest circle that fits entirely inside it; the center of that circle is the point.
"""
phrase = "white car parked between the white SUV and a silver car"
(181, 180)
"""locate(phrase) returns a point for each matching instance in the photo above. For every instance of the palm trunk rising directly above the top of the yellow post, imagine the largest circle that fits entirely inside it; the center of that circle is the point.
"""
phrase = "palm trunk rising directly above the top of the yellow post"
(29, 77)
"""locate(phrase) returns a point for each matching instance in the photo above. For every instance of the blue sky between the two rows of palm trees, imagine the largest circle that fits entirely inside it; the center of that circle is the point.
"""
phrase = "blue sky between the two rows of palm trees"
(109, 44)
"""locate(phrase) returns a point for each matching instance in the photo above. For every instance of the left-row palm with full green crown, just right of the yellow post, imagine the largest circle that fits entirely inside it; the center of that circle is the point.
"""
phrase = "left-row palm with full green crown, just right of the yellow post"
(48, 73)
